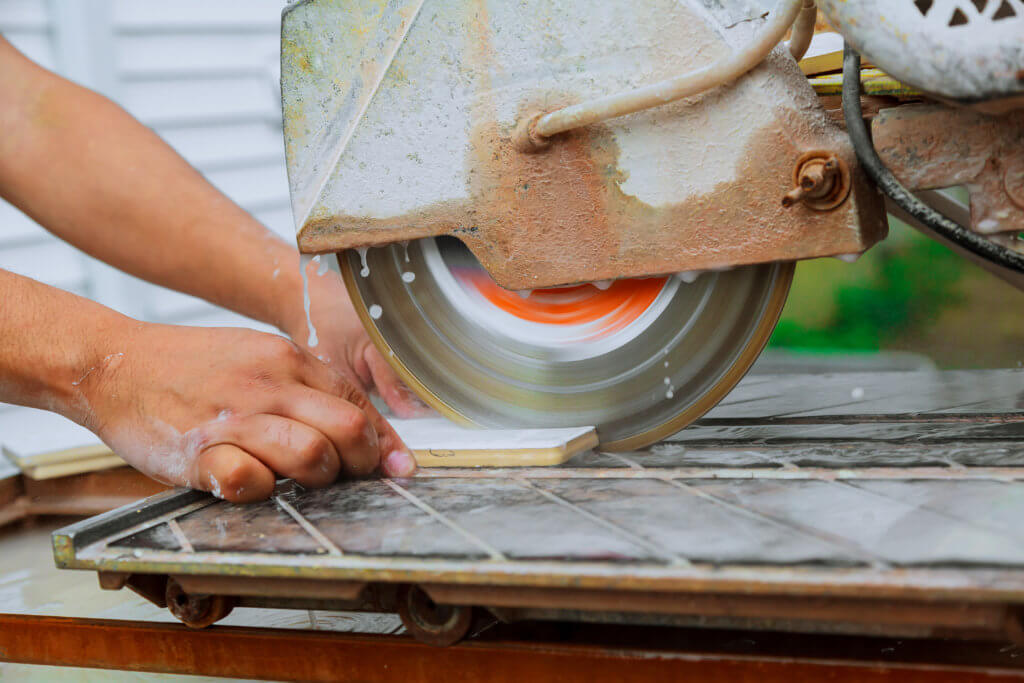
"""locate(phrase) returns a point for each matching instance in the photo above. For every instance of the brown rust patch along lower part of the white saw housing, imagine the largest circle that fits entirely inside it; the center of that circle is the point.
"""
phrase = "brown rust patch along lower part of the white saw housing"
(561, 217)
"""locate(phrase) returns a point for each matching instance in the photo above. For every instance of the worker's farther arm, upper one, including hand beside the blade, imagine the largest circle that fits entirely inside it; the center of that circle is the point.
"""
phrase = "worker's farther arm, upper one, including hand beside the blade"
(92, 175)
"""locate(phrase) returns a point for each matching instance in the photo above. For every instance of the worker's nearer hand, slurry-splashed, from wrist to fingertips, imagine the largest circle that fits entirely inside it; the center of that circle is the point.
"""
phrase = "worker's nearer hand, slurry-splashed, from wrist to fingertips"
(227, 410)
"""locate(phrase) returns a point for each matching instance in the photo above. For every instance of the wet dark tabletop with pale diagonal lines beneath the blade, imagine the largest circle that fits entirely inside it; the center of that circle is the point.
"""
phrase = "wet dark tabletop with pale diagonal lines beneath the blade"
(915, 472)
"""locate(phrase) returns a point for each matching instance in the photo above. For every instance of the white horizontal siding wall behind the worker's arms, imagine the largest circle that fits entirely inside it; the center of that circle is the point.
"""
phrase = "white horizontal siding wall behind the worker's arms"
(205, 76)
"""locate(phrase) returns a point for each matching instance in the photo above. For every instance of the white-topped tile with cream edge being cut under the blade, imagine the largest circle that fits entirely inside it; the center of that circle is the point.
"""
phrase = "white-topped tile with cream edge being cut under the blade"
(438, 443)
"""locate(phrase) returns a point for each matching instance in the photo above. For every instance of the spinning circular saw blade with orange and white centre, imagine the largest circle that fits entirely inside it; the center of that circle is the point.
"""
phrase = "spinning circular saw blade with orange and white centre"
(637, 359)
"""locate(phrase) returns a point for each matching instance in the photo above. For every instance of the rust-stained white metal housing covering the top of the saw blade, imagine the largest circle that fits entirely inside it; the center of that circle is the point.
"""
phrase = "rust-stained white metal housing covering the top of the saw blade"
(400, 119)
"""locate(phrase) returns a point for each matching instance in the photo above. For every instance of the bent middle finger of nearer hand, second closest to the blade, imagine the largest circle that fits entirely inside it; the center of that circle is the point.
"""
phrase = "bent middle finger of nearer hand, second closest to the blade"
(348, 428)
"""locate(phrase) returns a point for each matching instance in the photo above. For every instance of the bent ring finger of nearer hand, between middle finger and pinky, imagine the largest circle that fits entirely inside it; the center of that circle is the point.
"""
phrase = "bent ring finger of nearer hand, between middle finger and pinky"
(290, 448)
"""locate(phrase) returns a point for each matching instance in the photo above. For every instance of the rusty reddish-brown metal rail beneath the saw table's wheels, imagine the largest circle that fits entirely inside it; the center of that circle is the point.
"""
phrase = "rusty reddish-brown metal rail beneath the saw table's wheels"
(288, 655)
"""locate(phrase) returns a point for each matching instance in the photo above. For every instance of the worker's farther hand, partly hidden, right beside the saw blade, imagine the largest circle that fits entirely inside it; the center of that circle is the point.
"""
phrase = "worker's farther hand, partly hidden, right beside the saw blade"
(343, 343)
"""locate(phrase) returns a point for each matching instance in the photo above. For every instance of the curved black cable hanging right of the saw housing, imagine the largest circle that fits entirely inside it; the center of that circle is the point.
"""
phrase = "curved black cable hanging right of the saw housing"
(888, 184)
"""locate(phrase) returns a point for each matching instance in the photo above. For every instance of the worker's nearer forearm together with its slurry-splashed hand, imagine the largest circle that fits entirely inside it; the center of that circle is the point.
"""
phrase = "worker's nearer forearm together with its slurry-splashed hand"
(222, 410)
